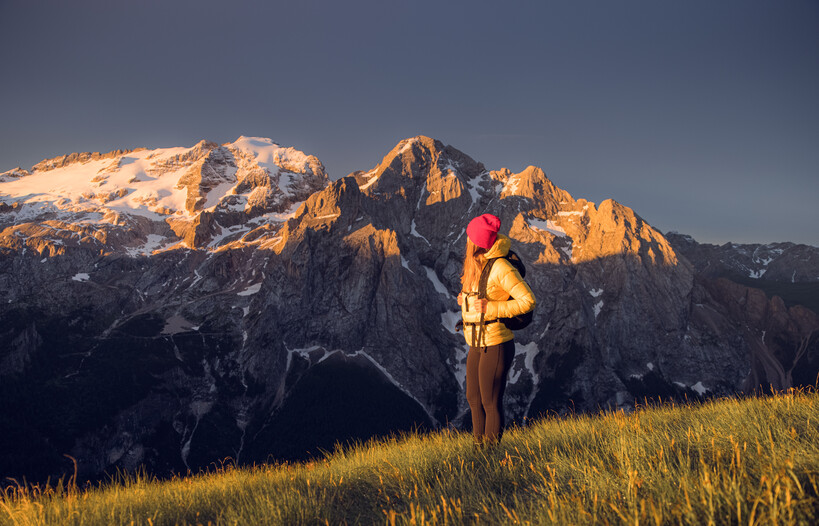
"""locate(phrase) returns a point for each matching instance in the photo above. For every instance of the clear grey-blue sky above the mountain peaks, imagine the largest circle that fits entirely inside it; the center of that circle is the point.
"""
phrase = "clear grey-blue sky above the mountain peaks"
(701, 115)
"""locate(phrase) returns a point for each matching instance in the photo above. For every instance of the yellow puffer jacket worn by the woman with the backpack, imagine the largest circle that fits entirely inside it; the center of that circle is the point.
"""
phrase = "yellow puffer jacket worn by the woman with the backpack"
(508, 296)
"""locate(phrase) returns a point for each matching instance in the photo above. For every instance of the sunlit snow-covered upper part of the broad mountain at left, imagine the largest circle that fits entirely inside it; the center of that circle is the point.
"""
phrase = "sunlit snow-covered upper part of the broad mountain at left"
(148, 200)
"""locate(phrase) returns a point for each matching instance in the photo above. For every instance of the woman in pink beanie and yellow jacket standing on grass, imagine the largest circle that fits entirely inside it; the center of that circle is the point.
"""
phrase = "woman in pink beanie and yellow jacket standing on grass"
(491, 344)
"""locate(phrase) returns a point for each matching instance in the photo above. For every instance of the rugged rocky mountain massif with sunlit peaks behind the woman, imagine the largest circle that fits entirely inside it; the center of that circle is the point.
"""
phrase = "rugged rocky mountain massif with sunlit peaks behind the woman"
(176, 307)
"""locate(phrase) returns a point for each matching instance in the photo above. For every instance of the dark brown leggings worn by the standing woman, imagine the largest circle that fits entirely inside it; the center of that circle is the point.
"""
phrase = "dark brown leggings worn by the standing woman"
(486, 370)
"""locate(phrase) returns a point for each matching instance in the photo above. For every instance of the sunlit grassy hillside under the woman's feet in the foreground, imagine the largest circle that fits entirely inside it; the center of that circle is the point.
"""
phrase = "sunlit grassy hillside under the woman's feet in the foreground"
(753, 461)
